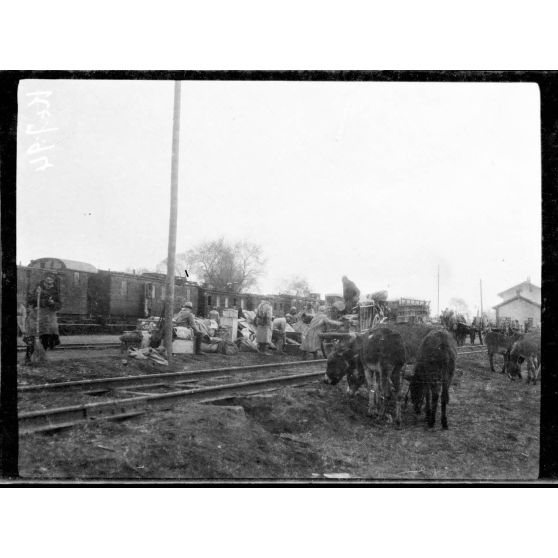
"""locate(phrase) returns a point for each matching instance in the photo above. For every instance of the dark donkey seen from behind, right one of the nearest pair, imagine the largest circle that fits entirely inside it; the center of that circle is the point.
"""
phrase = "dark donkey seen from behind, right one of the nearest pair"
(433, 375)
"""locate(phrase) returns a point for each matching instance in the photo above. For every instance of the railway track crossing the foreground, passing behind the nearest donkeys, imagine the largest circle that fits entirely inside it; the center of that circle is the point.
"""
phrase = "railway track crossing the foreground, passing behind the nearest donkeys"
(142, 403)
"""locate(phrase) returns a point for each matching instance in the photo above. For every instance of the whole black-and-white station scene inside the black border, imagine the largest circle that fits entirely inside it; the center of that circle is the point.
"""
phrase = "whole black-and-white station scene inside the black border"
(280, 279)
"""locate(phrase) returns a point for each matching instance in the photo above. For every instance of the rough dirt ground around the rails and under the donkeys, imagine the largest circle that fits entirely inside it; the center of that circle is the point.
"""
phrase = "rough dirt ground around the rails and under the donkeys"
(308, 432)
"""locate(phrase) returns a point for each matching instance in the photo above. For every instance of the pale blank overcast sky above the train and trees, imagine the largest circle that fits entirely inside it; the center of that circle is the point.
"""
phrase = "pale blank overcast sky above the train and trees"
(381, 182)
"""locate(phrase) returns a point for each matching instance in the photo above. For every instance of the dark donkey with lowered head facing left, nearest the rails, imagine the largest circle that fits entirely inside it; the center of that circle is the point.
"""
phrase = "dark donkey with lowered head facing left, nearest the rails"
(379, 357)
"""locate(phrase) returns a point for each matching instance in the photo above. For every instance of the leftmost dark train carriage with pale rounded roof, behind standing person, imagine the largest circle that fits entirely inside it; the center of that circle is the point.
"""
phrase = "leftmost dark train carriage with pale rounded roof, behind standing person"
(73, 281)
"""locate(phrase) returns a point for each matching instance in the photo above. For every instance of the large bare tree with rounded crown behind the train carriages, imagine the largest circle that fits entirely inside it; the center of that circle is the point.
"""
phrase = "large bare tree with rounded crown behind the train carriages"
(223, 265)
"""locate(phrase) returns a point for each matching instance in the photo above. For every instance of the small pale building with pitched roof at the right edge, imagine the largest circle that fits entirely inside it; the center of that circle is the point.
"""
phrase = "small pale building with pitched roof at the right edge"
(522, 303)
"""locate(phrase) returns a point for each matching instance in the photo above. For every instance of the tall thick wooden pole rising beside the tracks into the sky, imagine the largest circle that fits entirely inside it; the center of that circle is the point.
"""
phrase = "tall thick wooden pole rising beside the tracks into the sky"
(169, 306)
